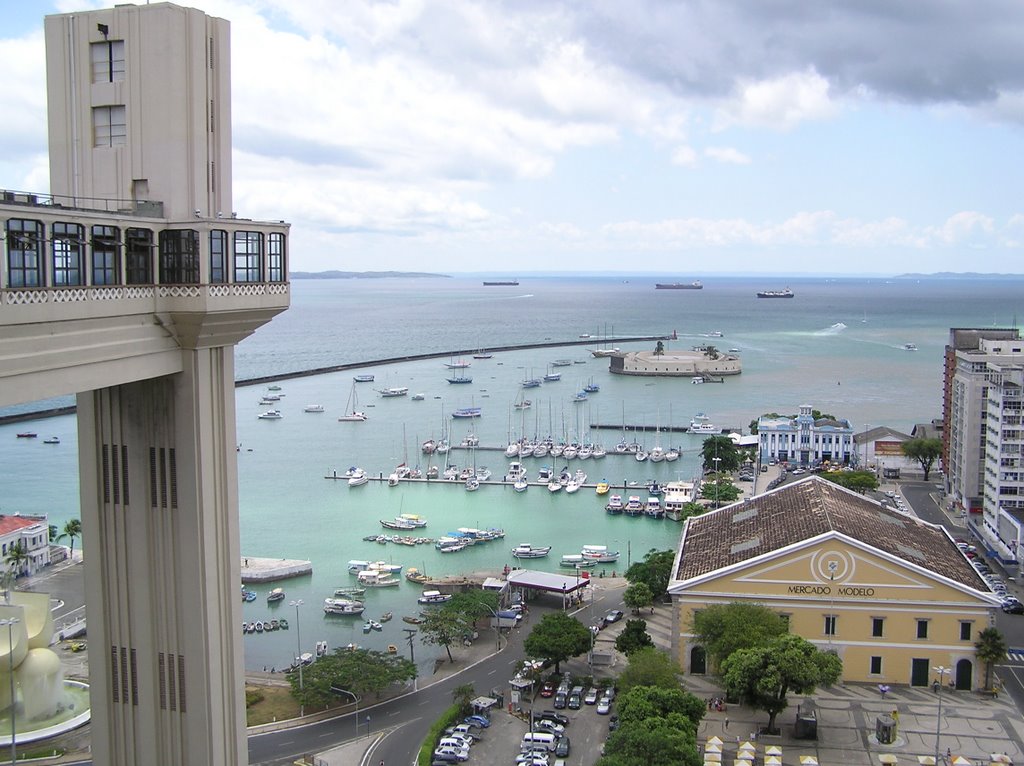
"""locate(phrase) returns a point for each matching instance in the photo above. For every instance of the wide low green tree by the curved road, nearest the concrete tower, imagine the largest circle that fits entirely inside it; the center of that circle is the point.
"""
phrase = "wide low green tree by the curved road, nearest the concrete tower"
(361, 672)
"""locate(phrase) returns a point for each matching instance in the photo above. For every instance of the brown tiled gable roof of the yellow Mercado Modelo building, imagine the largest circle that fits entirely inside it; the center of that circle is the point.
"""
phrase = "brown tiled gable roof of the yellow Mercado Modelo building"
(808, 509)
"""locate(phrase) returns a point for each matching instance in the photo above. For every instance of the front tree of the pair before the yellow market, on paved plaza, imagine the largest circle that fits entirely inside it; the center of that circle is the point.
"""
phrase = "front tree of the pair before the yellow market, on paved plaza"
(762, 676)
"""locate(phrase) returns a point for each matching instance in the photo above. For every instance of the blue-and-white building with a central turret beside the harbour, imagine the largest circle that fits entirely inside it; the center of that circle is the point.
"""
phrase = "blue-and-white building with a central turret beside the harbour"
(804, 441)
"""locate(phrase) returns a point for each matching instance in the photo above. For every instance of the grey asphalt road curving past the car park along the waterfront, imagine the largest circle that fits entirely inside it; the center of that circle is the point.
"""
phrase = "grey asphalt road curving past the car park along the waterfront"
(406, 719)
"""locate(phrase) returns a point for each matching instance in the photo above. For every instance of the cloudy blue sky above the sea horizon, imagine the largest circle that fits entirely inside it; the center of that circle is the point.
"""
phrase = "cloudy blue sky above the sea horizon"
(684, 138)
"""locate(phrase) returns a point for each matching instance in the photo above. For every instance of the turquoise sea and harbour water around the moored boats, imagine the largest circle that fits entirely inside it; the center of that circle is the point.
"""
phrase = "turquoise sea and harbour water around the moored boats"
(838, 347)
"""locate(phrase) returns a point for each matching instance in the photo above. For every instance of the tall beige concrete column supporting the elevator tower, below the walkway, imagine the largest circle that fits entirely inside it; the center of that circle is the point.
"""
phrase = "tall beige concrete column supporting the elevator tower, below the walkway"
(159, 494)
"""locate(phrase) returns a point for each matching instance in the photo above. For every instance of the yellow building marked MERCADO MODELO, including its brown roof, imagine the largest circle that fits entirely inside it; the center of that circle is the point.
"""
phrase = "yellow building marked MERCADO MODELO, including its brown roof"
(891, 594)
